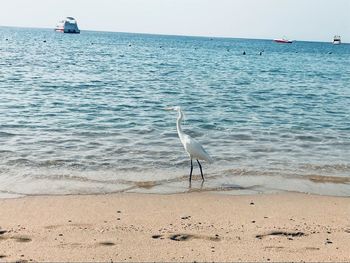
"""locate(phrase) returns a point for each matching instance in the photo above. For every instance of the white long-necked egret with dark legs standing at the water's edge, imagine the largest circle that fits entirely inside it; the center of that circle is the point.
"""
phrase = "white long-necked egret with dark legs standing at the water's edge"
(193, 148)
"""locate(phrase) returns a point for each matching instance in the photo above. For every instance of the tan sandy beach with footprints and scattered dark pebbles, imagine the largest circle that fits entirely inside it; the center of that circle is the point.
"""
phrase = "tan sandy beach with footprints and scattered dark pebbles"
(181, 227)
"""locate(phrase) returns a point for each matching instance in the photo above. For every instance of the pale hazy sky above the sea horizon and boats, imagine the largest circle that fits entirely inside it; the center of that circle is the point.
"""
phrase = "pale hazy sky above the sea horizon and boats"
(317, 20)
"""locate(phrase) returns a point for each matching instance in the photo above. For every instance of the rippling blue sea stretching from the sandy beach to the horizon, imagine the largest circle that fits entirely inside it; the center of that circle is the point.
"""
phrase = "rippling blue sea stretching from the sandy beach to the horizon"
(84, 114)
